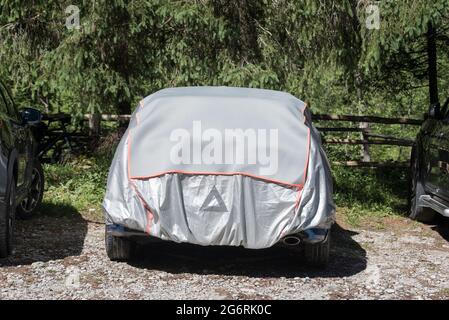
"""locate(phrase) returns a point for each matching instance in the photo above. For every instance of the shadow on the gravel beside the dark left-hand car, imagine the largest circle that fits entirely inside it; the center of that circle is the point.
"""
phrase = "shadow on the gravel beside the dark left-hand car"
(55, 232)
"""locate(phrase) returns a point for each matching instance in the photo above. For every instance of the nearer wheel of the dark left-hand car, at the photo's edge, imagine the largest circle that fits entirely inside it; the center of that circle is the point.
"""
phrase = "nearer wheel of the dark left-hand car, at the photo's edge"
(7, 221)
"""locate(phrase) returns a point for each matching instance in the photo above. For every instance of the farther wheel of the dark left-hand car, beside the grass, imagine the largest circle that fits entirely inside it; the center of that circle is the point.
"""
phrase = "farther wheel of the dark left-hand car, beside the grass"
(28, 205)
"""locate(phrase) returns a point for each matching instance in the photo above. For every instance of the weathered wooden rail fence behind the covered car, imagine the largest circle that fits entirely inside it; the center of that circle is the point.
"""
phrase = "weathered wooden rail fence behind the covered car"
(367, 137)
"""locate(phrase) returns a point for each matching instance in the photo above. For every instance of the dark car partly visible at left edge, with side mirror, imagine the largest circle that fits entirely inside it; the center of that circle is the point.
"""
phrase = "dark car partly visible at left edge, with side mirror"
(21, 176)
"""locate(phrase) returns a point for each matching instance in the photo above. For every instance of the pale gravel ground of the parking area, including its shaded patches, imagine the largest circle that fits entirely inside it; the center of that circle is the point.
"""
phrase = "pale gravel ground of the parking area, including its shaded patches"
(64, 258)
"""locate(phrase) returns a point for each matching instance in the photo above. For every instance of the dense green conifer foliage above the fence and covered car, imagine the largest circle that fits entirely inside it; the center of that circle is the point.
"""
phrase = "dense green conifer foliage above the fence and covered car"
(124, 50)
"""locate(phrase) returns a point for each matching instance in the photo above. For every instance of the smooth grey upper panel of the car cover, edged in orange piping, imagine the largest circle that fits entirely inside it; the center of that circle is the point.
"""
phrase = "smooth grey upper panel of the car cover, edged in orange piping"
(220, 131)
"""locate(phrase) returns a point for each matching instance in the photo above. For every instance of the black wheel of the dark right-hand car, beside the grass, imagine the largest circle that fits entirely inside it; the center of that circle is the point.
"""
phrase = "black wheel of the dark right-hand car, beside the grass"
(416, 191)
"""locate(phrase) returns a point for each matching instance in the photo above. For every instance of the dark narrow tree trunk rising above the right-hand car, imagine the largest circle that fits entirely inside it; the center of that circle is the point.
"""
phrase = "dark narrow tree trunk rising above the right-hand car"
(432, 67)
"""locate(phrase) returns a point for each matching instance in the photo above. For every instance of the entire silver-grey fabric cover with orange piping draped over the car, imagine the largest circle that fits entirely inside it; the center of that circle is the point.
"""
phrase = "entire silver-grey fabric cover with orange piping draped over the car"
(220, 166)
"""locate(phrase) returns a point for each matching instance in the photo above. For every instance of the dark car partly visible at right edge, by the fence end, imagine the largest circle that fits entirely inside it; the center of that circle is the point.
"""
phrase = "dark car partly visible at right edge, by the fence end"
(430, 167)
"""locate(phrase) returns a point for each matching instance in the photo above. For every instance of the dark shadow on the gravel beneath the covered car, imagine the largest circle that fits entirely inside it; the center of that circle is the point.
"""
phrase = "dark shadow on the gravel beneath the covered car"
(347, 258)
